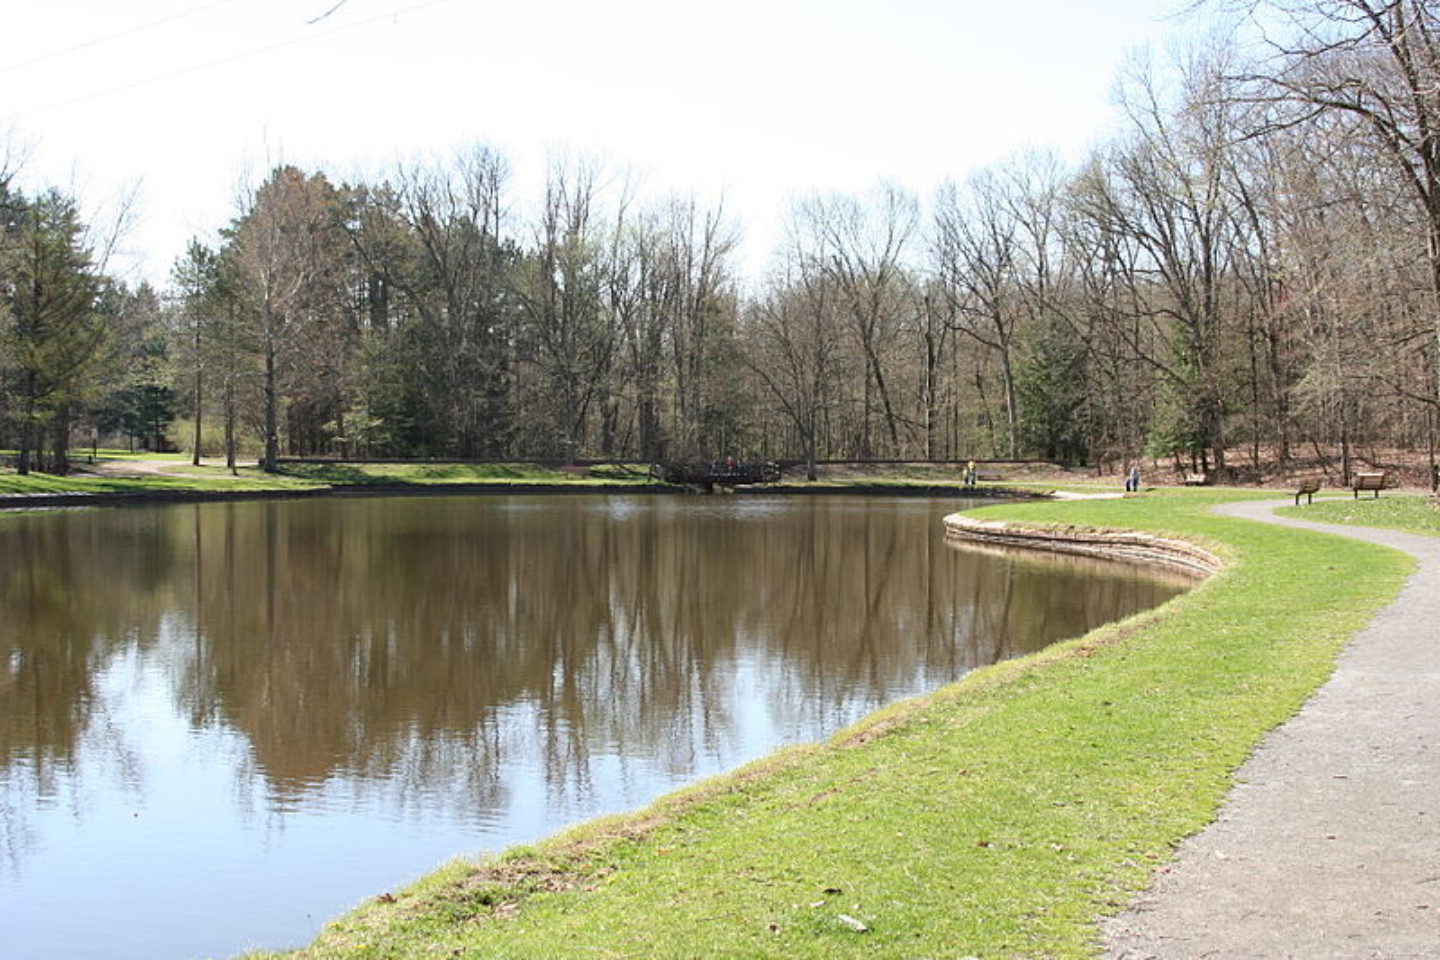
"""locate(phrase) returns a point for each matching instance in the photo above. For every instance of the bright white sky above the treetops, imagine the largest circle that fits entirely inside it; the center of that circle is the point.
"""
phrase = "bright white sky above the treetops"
(758, 100)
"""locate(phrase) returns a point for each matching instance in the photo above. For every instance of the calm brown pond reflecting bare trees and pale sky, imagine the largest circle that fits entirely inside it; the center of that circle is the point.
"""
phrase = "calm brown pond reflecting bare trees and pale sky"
(224, 725)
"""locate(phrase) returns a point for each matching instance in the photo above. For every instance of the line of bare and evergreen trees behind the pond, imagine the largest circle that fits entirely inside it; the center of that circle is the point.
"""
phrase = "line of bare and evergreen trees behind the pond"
(1246, 274)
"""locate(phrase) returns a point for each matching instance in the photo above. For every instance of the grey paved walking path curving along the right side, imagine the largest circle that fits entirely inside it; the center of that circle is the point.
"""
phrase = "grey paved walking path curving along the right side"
(1330, 844)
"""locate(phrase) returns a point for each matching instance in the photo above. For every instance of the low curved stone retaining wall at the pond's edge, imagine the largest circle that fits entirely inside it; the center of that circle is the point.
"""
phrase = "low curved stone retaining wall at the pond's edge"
(1108, 545)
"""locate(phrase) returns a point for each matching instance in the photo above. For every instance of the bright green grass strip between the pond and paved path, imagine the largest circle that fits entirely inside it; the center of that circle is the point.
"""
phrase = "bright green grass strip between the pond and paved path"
(994, 818)
